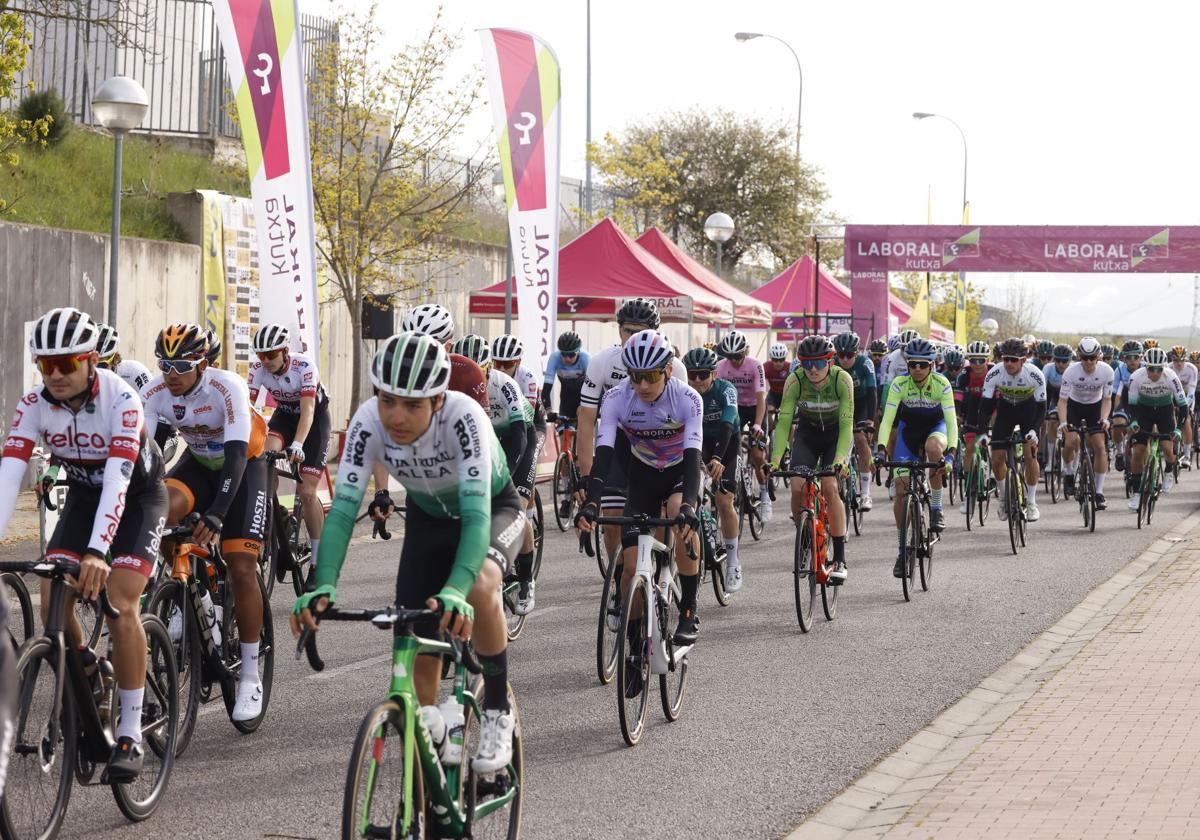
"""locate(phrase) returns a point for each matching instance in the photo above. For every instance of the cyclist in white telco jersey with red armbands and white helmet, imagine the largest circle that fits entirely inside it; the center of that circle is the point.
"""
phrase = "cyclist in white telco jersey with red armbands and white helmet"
(93, 423)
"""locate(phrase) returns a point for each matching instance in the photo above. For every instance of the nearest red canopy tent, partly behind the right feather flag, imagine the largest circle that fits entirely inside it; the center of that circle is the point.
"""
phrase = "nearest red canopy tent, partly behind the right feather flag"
(601, 269)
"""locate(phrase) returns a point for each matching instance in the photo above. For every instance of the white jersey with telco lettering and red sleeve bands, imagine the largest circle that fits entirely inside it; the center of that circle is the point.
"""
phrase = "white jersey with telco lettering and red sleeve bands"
(100, 447)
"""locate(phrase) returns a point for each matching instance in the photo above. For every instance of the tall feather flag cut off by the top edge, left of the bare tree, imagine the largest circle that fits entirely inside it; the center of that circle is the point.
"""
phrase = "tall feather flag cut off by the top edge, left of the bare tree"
(263, 51)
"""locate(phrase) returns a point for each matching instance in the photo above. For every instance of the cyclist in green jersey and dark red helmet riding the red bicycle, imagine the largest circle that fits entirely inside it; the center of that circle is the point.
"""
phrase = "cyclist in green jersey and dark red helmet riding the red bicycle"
(821, 398)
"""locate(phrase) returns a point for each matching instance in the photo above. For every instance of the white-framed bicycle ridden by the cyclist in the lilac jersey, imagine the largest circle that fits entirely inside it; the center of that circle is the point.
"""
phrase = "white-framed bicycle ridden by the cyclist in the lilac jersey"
(647, 646)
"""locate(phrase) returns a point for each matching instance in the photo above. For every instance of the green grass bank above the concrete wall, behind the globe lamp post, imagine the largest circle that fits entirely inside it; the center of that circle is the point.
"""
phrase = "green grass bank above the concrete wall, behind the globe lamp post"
(70, 185)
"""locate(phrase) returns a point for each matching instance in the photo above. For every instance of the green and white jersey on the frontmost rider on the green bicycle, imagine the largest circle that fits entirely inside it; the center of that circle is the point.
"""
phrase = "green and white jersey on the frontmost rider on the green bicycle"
(452, 472)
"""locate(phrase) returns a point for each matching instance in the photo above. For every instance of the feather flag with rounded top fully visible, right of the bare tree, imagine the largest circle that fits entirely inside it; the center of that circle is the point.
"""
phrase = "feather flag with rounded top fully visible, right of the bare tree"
(525, 88)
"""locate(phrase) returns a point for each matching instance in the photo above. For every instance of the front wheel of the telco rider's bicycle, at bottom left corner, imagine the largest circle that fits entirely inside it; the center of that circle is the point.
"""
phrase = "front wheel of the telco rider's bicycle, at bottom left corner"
(41, 767)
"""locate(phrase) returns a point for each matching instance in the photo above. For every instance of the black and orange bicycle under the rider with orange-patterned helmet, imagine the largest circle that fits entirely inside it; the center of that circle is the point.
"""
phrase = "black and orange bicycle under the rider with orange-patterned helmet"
(202, 616)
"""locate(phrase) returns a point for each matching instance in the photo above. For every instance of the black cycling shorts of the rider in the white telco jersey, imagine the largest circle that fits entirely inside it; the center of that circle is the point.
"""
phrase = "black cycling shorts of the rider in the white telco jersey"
(136, 542)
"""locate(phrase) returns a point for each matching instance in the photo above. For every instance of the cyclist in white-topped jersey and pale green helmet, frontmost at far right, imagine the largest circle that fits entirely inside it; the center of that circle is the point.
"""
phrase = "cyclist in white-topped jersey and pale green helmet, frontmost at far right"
(1155, 397)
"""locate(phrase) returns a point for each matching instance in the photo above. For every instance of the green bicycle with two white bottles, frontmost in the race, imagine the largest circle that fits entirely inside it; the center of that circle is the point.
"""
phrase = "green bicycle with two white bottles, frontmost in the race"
(398, 785)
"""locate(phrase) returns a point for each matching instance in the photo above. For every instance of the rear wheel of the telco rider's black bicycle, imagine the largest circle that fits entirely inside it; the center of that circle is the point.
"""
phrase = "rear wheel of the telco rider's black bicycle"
(160, 725)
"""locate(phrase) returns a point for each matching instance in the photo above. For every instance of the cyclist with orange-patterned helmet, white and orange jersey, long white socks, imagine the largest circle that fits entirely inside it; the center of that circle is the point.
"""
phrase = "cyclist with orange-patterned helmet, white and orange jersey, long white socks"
(223, 477)
